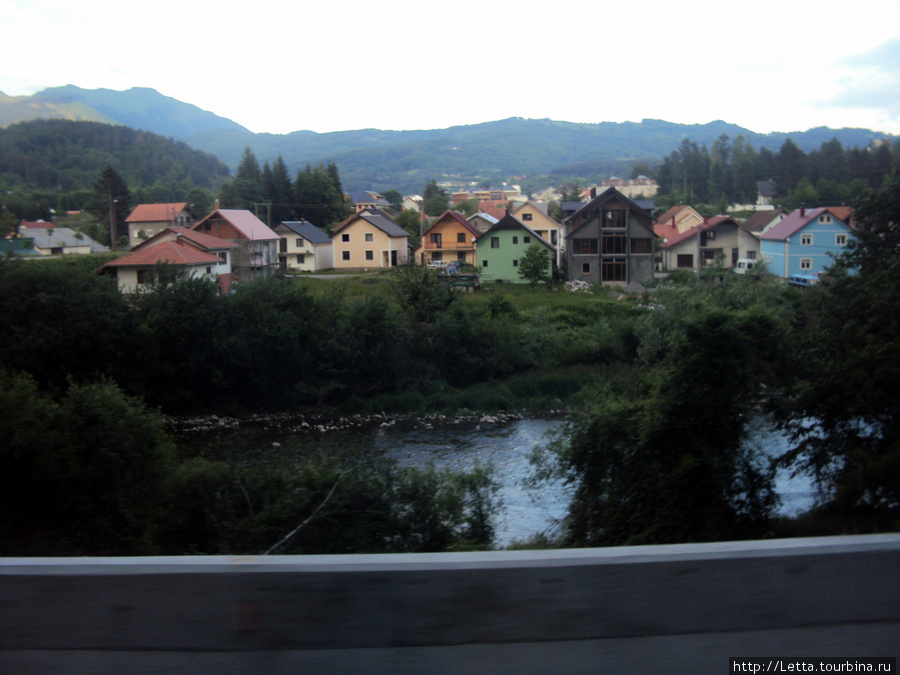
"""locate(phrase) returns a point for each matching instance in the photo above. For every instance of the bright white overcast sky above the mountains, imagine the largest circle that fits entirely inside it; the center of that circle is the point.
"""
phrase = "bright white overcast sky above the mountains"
(277, 67)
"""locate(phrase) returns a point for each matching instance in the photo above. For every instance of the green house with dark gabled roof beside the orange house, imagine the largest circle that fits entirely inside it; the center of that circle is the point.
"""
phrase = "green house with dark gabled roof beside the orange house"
(500, 248)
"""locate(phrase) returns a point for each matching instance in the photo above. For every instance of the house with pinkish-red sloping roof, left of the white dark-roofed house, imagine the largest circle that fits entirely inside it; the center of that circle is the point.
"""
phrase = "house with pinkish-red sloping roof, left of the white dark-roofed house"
(257, 254)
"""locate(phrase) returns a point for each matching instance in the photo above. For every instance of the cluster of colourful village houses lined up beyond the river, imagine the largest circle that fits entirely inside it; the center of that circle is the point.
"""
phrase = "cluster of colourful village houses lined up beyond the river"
(614, 236)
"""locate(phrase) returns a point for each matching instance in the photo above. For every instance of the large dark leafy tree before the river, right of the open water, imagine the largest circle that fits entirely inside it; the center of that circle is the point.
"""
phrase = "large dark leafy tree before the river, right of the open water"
(659, 455)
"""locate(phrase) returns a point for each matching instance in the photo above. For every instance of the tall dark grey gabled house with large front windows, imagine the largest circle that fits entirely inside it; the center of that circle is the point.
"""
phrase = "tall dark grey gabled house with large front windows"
(610, 241)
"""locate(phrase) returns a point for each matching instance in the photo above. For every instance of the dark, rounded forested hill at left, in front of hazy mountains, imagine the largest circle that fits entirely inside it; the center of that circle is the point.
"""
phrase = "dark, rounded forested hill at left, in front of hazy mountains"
(65, 155)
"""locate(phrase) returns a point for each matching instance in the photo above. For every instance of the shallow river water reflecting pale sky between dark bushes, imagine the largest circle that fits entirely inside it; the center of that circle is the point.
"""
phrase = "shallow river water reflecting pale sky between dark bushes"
(506, 446)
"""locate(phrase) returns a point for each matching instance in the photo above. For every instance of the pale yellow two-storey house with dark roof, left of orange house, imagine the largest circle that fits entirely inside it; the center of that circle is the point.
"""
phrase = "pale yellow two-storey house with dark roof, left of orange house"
(368, 240)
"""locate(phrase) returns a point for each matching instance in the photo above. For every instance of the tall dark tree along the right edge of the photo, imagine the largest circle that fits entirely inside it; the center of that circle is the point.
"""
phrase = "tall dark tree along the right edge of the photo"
(845, 415)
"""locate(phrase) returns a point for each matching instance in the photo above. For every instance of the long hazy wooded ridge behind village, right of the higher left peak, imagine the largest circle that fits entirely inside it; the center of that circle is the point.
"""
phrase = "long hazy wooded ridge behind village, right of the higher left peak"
(496, 151)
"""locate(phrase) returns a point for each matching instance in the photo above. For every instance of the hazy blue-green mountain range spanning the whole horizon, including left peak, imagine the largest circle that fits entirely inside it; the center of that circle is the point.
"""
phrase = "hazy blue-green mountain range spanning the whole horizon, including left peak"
(372, 159)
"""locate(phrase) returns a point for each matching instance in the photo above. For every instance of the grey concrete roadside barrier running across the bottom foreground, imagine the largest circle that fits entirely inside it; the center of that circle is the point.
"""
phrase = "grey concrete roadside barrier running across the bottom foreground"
(681, 608)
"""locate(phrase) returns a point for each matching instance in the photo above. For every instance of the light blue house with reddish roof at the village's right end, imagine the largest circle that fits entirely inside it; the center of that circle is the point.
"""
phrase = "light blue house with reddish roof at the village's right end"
(804, 242)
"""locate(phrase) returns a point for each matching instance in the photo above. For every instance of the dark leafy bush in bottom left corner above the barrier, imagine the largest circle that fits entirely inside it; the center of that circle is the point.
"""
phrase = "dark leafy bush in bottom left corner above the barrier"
(83, 476)
